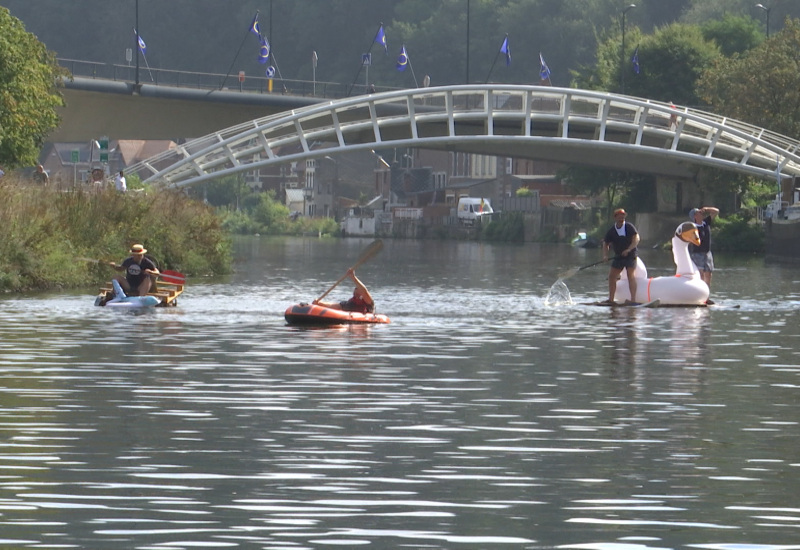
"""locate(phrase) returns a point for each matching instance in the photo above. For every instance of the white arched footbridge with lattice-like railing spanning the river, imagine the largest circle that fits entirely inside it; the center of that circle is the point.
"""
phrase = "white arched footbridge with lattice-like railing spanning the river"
(535, 122)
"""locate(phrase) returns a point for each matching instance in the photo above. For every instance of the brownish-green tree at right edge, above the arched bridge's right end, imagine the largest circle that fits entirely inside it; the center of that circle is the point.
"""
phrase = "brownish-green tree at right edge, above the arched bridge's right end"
(762, 86)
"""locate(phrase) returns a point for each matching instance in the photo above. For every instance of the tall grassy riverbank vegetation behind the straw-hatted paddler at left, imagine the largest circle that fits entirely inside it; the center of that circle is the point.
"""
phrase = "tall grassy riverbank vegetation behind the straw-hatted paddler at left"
(44, 232)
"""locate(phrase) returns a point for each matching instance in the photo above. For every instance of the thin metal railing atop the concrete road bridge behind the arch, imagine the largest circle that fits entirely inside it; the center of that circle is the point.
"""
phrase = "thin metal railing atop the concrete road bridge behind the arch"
(205, 81)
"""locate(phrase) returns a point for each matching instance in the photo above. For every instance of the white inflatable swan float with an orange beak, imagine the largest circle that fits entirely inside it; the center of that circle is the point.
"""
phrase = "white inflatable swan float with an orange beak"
(685, 288)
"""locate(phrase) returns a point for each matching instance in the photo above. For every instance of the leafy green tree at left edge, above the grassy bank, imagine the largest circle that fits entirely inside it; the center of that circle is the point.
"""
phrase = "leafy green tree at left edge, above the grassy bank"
(29, 76)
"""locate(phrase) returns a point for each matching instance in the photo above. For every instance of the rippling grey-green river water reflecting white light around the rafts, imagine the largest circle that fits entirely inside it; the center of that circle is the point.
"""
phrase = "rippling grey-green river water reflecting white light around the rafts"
(485, 416)
